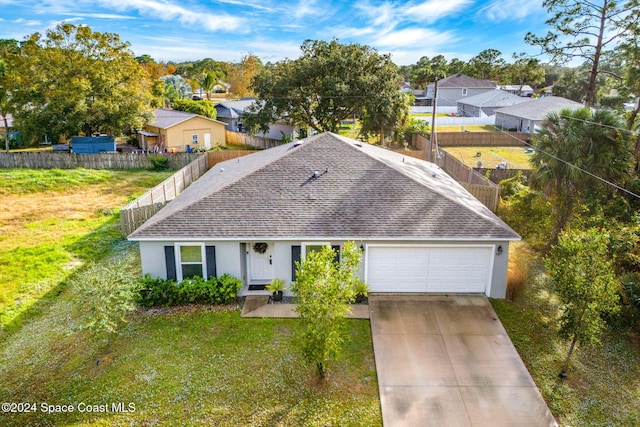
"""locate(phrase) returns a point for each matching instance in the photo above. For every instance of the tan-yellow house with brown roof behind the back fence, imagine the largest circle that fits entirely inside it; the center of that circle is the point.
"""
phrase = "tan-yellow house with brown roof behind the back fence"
(176, 131)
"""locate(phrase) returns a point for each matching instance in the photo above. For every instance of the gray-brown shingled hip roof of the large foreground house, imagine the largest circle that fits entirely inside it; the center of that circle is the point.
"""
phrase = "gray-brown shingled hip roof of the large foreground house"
(361, 192)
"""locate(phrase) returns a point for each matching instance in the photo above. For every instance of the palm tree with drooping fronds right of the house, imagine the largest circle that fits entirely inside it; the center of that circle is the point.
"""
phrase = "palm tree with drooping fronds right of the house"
(573, 149)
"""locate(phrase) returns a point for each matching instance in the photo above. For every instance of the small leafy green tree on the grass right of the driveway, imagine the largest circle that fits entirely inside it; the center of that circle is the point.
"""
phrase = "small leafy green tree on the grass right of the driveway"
(585, 282)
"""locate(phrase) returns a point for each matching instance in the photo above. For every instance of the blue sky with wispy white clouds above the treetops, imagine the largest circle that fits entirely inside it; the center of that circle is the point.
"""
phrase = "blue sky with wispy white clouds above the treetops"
(225, 30)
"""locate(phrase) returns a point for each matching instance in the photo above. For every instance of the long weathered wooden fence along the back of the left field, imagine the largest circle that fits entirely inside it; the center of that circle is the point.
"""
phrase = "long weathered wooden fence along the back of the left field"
(51, 160)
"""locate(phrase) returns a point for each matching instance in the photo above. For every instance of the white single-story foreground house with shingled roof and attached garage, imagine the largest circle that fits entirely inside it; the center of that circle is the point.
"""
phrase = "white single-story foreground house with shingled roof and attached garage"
(256, 216)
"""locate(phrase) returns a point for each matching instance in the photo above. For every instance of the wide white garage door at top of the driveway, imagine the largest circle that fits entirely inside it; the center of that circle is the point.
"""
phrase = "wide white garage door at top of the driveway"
(429, 269)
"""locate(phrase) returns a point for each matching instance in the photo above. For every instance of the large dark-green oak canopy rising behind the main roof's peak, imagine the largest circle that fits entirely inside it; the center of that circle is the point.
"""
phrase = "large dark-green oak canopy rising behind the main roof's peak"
(329, 83)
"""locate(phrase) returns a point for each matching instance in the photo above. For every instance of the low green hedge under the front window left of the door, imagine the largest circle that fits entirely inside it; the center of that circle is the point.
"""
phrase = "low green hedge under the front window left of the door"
(196, 290)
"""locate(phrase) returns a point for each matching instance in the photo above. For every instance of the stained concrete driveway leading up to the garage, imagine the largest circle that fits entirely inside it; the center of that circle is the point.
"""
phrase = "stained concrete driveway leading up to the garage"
(447, 361)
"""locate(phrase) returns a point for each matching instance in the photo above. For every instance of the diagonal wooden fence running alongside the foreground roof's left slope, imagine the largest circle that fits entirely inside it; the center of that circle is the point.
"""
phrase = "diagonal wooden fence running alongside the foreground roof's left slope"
(144, 207)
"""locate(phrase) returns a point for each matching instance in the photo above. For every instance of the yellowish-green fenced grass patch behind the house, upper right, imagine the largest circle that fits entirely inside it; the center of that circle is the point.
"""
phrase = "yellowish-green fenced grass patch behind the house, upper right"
(515, 157)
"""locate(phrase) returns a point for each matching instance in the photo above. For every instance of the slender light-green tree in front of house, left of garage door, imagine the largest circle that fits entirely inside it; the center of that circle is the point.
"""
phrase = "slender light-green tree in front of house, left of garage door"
(324, 287)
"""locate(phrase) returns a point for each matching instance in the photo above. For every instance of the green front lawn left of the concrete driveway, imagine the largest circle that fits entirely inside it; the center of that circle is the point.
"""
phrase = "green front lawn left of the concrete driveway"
(179, 367)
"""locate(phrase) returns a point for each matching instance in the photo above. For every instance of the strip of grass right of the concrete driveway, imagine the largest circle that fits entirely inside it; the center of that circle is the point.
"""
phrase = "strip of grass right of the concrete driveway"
(603, 383)
